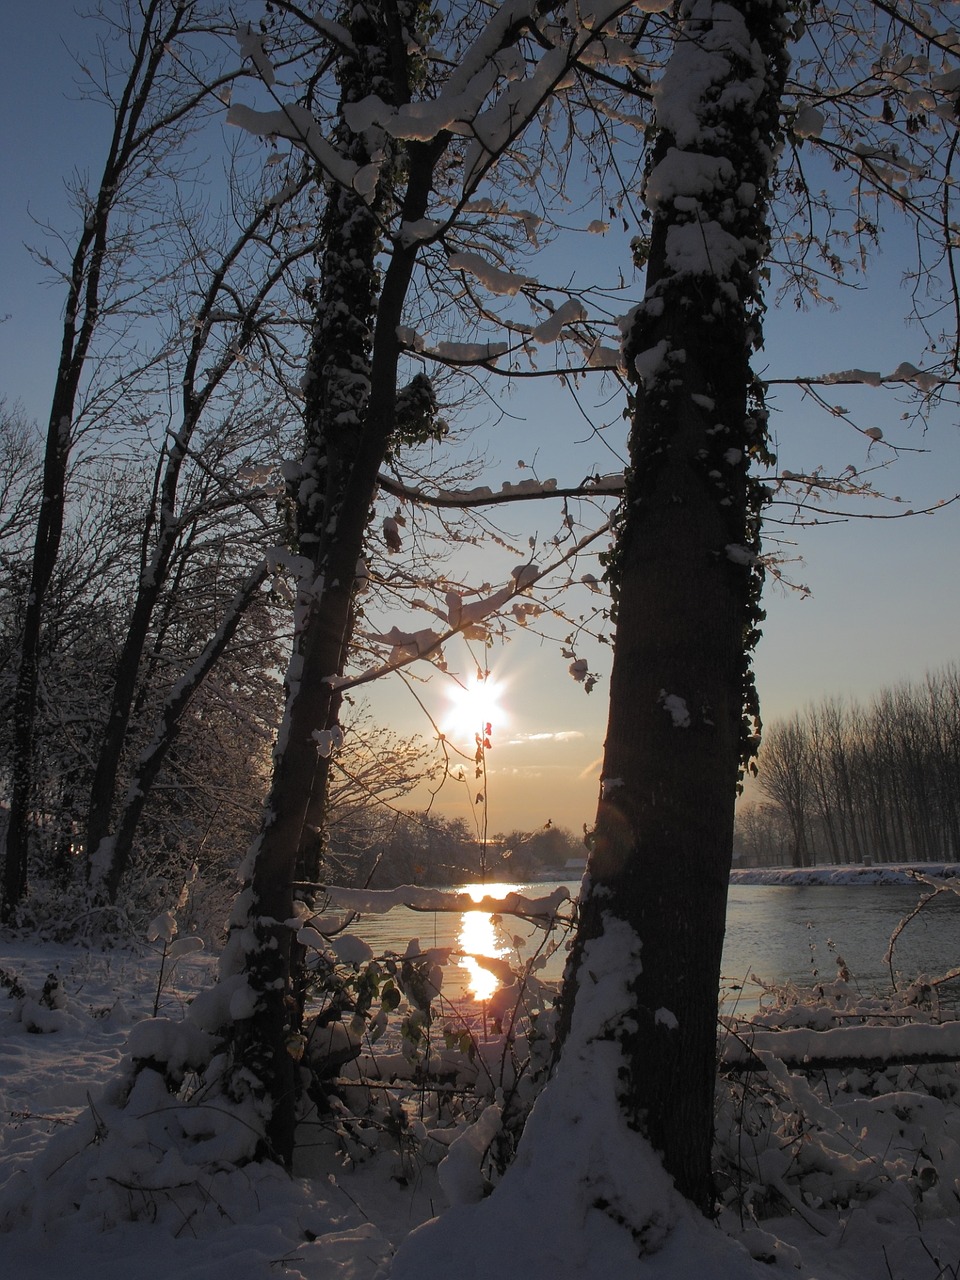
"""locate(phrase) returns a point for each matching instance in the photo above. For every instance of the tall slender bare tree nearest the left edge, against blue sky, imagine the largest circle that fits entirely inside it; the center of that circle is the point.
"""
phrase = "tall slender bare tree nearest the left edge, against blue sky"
(154, 98)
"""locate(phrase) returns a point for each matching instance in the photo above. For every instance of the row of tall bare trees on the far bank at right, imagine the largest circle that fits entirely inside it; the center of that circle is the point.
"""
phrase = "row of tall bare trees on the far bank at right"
(849, 783)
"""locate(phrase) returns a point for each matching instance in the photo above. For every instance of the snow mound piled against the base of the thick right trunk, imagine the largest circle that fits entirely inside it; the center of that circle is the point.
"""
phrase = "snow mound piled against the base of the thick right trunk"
(584, 1192)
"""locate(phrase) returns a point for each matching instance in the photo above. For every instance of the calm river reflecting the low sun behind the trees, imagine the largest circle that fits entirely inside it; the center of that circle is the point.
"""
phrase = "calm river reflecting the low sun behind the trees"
(780, 934)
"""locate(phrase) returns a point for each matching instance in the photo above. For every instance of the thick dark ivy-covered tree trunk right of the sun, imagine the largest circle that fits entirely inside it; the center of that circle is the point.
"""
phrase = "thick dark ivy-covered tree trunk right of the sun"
(685, 574)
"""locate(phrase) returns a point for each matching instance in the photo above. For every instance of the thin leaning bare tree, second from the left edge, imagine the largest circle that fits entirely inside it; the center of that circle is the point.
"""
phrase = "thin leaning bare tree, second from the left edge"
(226, 331)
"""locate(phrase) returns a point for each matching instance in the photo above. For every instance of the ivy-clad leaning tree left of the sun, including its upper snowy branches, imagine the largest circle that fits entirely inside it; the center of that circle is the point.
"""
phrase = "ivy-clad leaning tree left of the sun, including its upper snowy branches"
(340, 477)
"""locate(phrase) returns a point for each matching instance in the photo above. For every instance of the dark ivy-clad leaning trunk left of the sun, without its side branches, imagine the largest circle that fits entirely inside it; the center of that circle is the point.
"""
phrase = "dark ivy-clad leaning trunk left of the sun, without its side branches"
(350, 418)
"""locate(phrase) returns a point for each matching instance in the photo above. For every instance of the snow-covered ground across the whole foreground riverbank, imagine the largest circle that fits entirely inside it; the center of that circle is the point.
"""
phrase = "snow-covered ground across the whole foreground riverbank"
(849, 1173)
